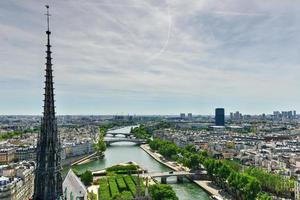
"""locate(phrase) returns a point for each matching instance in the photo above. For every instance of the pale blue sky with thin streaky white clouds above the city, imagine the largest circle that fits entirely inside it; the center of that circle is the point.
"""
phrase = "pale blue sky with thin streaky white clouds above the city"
(152, 56)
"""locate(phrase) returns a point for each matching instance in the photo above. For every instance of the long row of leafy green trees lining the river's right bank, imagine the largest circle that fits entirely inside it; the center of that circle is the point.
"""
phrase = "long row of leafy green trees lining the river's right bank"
(251, 183)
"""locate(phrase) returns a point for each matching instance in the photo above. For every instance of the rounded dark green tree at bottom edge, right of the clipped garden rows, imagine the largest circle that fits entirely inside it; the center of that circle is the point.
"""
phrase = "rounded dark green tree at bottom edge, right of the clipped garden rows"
(162, 192)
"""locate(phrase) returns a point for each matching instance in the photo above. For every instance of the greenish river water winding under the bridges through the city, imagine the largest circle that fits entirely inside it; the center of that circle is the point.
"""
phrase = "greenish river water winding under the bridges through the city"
(124, 152)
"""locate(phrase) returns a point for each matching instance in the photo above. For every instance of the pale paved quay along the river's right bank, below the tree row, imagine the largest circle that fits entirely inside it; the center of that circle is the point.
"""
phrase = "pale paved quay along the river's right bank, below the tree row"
(208, 186)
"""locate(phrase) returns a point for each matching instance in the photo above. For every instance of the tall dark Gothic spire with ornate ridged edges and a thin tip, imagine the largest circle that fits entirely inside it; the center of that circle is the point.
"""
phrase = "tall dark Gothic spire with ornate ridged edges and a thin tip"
(48, 181)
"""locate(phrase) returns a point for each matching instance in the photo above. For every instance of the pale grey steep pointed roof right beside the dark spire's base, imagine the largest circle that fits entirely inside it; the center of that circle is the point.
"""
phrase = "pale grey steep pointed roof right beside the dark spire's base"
(73, 188)
